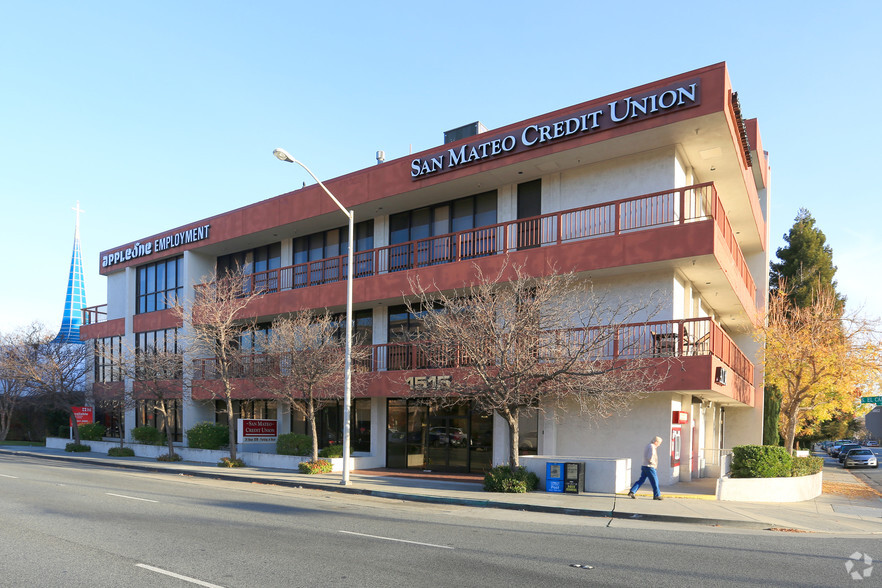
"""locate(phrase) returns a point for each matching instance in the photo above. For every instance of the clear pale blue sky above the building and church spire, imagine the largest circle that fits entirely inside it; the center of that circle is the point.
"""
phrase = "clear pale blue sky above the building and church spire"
(155, 114)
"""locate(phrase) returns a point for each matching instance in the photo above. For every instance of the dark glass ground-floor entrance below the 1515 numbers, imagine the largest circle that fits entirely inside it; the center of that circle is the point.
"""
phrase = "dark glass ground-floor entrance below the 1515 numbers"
(450, 439)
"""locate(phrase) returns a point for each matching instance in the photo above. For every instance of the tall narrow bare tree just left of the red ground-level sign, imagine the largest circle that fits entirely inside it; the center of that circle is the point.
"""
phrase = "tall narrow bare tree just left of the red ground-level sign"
(215, 320)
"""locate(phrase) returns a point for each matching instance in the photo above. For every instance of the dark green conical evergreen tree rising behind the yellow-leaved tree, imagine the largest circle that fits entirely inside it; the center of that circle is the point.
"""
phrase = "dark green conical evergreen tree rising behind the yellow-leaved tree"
(806, 264)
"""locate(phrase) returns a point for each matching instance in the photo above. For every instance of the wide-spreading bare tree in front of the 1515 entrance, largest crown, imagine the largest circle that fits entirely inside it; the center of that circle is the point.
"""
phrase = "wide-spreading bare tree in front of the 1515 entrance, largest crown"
(535, 342)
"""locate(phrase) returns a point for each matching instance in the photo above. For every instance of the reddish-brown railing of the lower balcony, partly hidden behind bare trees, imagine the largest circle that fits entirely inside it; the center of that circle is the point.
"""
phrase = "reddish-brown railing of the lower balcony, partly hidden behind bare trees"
(683, 338)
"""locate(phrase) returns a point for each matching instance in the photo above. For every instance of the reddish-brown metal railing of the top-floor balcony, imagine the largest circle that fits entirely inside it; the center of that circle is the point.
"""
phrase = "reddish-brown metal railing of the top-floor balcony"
(649, 211)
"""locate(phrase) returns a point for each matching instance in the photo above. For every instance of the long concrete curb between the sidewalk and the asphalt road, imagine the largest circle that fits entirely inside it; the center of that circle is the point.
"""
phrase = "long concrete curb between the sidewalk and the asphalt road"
(469, 502)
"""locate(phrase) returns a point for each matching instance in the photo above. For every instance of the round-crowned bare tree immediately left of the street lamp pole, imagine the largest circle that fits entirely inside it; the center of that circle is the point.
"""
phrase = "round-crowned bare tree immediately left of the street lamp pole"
(307, 365)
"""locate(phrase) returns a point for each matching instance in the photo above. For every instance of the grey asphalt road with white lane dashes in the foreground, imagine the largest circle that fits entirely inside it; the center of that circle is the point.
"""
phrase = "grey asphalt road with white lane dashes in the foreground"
(72, 525)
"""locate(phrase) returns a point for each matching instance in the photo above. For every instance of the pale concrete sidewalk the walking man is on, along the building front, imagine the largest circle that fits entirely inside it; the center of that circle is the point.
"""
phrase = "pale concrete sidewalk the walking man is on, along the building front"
(693, 502)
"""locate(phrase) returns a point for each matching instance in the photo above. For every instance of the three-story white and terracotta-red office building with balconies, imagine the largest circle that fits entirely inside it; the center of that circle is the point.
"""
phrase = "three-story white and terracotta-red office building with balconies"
(662, 188)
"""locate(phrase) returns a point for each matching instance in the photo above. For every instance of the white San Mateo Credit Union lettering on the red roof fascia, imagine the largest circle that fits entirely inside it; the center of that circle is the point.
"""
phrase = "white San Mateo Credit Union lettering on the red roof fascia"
(593, 120)
